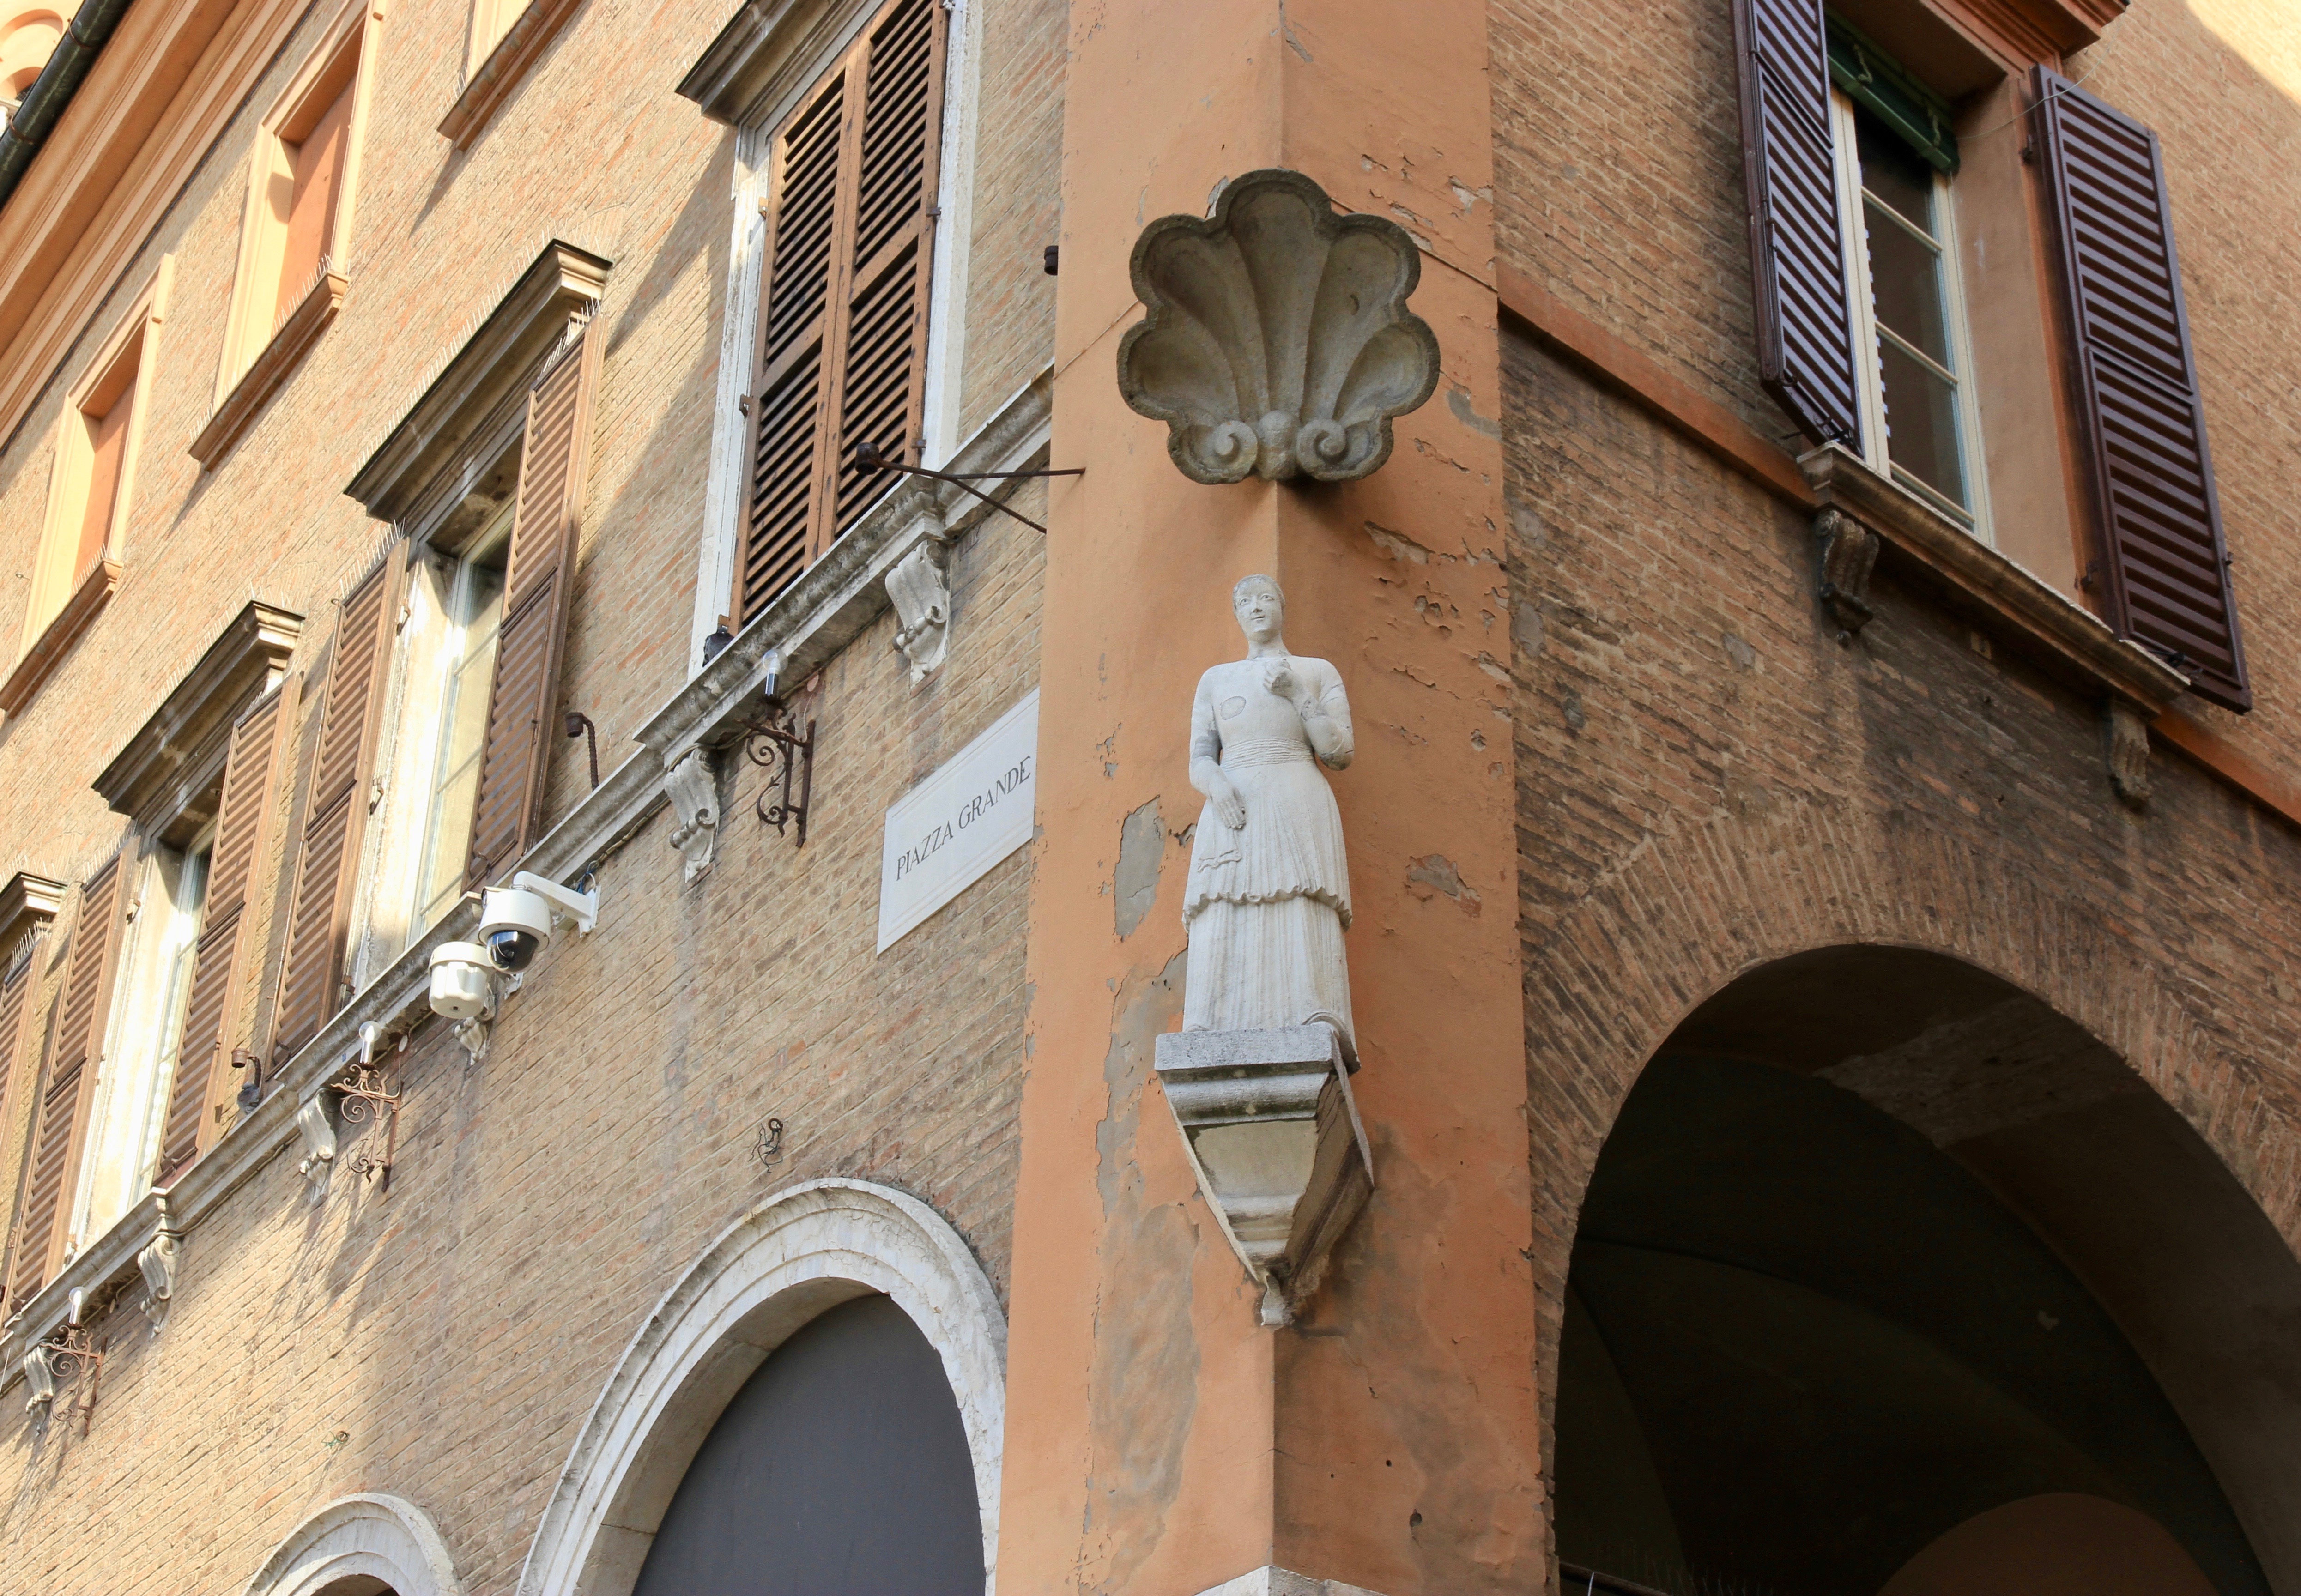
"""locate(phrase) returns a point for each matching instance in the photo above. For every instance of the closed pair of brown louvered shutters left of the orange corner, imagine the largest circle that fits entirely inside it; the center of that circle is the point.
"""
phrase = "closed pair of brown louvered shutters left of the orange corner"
(843, 328)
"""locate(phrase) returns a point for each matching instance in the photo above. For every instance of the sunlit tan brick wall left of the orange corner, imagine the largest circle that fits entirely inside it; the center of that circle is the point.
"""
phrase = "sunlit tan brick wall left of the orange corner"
(448, 1340)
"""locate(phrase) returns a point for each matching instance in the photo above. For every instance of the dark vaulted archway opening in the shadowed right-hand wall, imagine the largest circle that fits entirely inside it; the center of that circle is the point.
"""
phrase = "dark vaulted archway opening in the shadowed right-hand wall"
(1886, 1254)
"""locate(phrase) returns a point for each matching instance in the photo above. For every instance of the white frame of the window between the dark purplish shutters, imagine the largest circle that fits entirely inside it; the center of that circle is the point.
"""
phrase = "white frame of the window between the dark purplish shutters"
(1863, 305)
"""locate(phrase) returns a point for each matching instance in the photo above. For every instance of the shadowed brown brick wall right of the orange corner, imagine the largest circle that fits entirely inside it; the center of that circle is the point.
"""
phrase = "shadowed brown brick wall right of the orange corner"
(1711, 781)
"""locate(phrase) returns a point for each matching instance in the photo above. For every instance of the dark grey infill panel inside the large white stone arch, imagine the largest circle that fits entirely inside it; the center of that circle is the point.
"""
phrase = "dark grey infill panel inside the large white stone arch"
(839, 1471)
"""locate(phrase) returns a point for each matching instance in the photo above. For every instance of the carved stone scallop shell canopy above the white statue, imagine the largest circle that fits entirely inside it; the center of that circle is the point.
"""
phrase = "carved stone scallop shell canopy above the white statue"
(1278, 337)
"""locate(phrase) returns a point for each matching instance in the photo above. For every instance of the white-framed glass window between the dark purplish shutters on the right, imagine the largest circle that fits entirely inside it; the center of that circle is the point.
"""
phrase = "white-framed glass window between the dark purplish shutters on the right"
(1911, 351)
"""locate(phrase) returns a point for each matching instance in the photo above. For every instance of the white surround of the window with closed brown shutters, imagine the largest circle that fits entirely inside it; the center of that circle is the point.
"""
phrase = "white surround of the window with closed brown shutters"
(747, 263)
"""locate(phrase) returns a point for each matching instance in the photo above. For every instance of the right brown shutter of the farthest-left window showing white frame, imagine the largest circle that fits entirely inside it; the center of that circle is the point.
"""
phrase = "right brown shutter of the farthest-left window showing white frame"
(217, 972)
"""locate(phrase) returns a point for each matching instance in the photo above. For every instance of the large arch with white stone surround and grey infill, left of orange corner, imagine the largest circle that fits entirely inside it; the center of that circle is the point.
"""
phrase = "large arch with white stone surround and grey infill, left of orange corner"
(770, 1395)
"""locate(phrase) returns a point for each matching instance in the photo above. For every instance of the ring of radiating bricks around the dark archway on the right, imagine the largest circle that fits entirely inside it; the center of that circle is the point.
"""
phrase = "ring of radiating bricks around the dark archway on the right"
(1706, 905)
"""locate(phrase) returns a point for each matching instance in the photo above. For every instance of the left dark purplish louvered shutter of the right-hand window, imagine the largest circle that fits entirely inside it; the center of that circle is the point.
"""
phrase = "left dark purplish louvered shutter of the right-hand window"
(1796, 247)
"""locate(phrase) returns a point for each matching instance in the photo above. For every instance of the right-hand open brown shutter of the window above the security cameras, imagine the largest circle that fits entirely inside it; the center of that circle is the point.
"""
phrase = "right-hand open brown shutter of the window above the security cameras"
(542, 569)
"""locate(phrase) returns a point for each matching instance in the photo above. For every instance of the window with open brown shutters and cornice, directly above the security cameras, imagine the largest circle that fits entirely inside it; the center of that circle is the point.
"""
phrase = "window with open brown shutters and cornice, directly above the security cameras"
(420, 804)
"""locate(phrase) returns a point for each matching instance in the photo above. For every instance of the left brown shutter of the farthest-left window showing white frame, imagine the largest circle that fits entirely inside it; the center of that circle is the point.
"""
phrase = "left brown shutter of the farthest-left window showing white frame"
(79, 1043)
